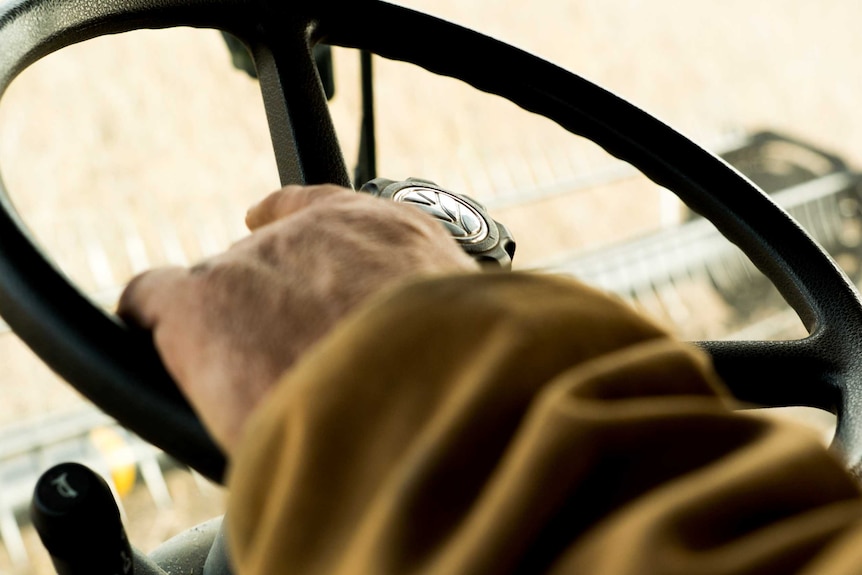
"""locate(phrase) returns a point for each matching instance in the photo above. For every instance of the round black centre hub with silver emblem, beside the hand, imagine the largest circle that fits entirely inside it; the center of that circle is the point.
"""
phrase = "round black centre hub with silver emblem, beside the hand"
(485, 239)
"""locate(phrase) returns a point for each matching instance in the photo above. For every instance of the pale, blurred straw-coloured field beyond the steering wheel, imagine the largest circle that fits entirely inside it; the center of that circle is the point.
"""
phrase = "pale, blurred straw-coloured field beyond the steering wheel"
(145, 149)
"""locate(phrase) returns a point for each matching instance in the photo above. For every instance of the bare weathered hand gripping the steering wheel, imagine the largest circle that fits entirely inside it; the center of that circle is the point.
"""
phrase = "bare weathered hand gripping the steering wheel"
(228, 327)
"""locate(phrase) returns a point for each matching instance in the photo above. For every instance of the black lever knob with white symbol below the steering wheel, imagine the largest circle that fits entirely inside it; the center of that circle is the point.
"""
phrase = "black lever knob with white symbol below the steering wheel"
(79, 523)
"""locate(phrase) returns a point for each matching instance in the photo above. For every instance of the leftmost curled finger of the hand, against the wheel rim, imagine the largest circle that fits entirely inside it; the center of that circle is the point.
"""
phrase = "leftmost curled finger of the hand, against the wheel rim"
(150, 296)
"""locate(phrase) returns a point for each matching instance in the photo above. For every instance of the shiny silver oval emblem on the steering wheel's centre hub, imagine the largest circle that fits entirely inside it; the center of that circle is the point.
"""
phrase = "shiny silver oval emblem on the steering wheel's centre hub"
(465, 223)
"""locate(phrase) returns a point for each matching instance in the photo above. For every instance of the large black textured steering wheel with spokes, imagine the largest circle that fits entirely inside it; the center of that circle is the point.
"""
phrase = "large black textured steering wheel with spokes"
(118, 369)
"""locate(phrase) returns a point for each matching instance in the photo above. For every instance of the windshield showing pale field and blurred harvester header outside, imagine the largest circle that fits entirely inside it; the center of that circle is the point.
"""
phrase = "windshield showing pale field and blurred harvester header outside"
(146, 148)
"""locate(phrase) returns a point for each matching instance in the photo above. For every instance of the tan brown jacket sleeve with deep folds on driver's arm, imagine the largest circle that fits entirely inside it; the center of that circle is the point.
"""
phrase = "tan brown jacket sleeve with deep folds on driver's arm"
(508, 423)
